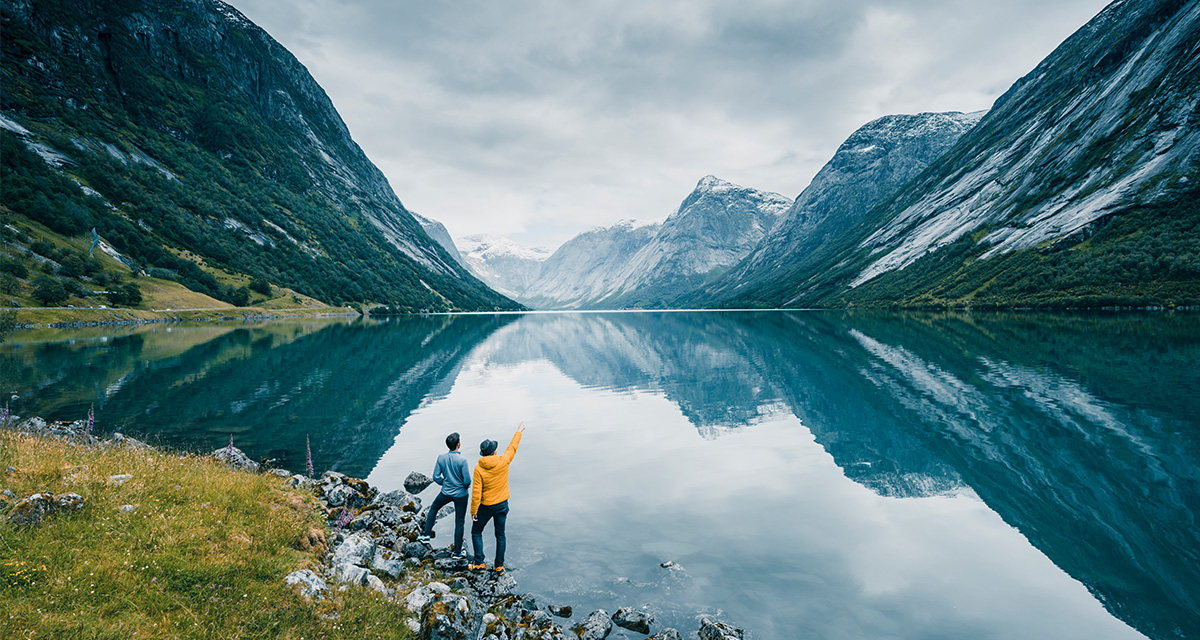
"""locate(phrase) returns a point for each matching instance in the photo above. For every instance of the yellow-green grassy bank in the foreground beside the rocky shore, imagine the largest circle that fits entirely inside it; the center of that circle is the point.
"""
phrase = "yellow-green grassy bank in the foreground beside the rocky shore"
(205, 555)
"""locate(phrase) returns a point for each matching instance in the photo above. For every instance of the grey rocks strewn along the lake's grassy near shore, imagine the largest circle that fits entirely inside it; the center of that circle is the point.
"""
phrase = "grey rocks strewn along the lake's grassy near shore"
(373, 543)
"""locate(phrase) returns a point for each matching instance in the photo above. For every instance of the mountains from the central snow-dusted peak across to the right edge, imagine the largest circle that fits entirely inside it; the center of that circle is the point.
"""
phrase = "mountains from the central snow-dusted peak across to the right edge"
(1079, 188)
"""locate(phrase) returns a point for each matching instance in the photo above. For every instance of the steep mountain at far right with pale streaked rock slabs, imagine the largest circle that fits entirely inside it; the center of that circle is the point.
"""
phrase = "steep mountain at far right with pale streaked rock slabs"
(1071, 192)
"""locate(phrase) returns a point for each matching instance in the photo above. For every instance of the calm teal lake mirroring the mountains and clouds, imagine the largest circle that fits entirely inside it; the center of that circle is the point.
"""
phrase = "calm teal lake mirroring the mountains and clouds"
(815, 475)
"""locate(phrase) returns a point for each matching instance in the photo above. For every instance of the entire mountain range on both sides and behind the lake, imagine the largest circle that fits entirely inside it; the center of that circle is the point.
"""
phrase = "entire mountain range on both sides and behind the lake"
(203, 153)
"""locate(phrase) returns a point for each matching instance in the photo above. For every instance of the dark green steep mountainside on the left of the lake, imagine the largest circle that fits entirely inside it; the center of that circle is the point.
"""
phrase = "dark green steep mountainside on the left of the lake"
(191, 131)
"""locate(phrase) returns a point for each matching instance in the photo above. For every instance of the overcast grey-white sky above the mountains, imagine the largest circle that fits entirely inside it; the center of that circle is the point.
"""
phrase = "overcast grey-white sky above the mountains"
(541, 119)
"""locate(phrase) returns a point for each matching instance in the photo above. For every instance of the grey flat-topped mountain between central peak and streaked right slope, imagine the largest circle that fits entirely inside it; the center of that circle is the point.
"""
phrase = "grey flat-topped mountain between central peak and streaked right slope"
(868, 169)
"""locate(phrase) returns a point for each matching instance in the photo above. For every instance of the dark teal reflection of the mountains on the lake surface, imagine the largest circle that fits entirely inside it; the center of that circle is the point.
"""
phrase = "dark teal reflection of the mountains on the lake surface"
(1081, 432)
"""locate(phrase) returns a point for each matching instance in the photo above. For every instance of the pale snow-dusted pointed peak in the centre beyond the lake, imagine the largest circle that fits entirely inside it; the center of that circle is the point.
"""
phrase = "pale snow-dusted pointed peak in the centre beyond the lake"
(631, 266)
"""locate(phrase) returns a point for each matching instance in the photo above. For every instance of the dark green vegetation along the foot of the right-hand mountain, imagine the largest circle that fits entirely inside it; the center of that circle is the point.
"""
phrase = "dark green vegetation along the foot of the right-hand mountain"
(1143, 256)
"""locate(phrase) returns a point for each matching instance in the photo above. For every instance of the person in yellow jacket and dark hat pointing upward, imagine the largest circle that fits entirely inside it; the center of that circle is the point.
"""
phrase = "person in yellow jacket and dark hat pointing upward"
(490, 498)
